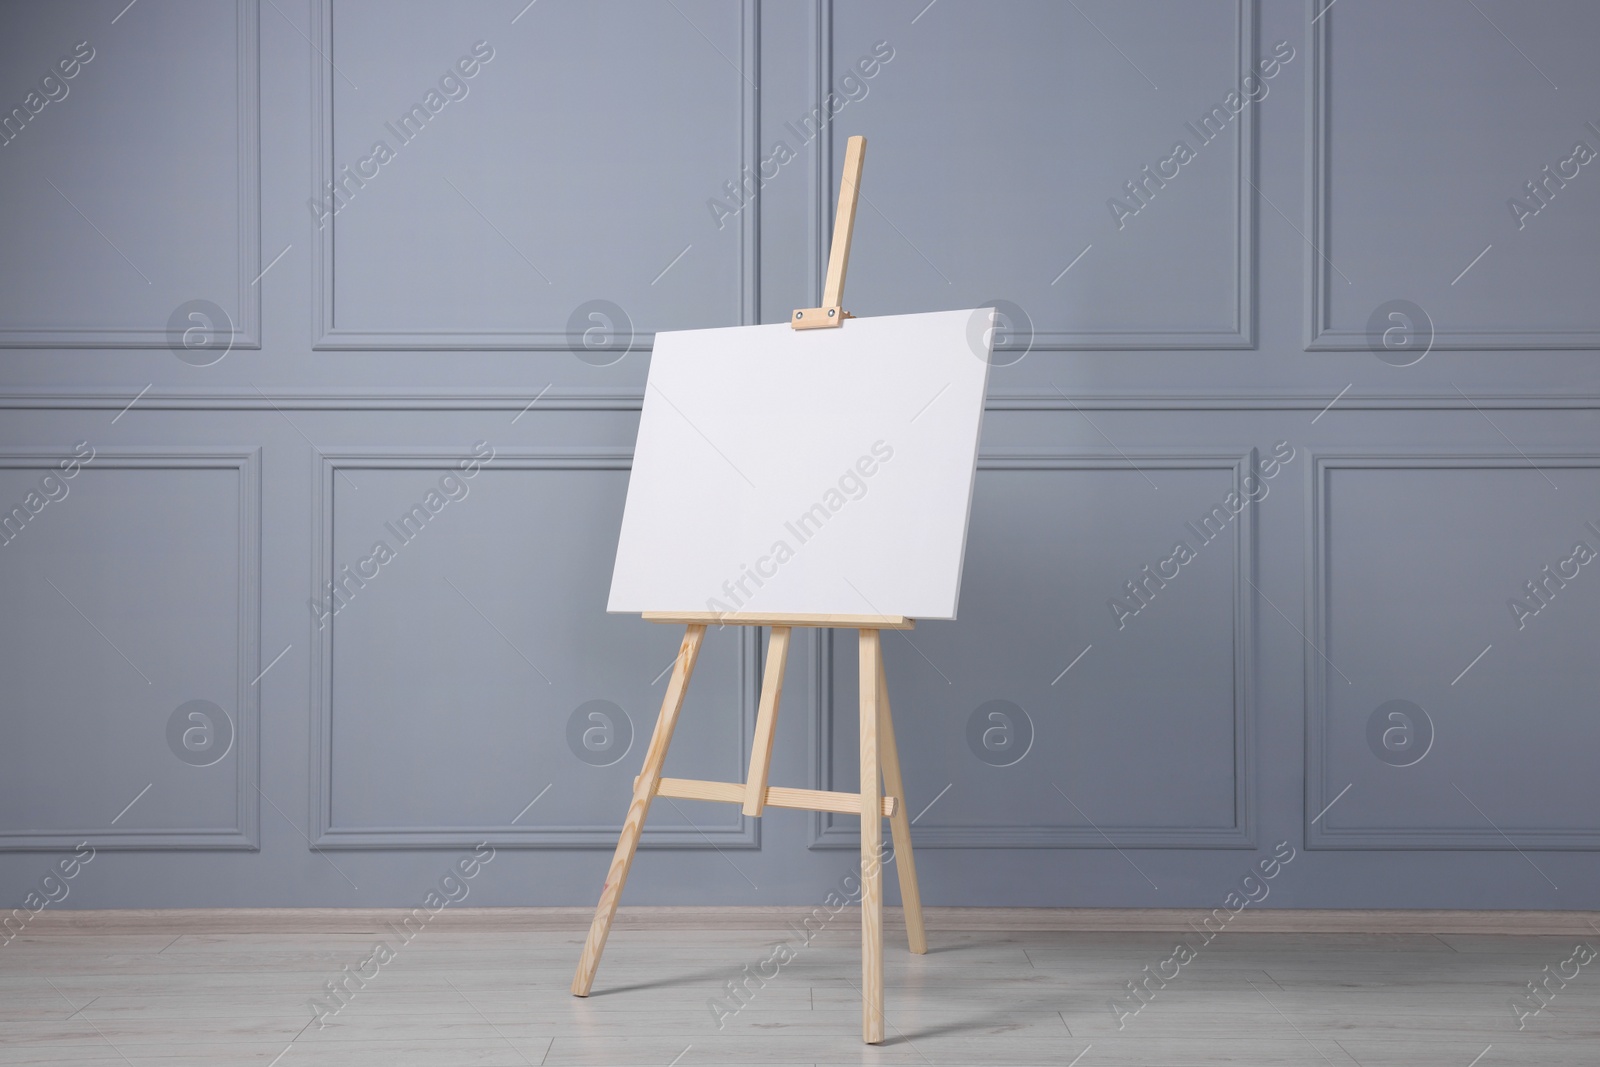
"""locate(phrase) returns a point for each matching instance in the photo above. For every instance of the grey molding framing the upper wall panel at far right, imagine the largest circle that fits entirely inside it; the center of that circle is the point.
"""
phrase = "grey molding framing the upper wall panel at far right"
(1319, 334)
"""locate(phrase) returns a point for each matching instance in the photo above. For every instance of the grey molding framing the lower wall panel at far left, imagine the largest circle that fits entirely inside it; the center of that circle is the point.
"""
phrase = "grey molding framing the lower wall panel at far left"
(246, 834)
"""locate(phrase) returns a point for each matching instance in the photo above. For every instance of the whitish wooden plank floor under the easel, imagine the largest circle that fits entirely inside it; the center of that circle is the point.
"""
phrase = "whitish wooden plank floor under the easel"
(153, 991)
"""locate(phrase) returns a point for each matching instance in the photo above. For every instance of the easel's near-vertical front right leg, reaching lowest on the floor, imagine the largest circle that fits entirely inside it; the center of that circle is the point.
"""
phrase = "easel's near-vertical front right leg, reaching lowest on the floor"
(871, 845)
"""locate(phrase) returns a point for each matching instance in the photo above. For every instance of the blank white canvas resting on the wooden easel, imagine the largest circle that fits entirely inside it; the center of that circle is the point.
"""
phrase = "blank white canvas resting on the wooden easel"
(807, 471)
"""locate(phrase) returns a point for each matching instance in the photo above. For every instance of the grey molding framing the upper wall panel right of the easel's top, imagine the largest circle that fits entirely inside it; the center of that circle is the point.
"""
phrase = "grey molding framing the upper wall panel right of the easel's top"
(1242, 335)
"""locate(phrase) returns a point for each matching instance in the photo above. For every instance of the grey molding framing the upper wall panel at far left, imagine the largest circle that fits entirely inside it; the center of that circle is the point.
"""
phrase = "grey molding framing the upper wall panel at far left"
(247, 332)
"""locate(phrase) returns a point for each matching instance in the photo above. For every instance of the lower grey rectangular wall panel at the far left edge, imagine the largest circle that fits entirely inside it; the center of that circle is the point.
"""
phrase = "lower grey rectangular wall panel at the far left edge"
(122, 733)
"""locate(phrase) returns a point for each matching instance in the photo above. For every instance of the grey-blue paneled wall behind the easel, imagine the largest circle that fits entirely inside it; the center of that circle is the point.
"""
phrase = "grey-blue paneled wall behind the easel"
(1158, 354)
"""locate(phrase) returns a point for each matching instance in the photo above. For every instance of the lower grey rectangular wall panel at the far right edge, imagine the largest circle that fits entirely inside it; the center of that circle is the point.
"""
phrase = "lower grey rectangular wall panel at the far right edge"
(1450, 705)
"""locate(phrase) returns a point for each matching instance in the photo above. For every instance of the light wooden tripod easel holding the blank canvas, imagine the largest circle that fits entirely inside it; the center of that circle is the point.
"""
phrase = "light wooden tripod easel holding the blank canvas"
(873, 804)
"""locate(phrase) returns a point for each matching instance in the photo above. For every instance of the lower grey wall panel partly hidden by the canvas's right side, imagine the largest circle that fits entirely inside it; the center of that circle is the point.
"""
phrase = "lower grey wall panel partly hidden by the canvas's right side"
(1036, 719)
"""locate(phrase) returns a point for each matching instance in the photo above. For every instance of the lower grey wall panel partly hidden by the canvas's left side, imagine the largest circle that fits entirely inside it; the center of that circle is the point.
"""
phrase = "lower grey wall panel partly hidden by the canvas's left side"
(466, 666)
